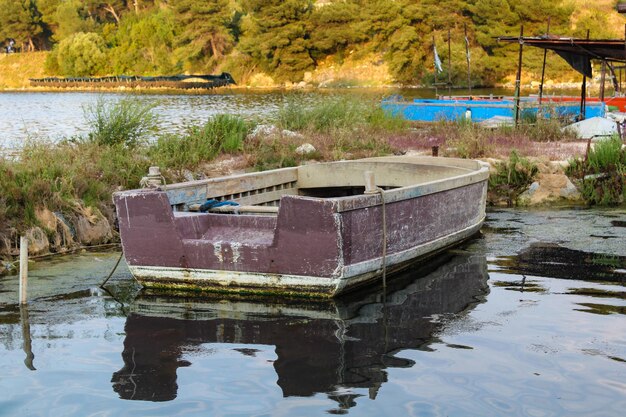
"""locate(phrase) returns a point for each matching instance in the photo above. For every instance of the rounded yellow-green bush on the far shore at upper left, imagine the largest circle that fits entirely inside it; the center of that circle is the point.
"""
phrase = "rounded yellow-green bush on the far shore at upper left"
(82, 54)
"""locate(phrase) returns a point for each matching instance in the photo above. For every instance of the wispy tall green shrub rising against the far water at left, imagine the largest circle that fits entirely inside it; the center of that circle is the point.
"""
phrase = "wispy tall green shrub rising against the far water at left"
(128, 121)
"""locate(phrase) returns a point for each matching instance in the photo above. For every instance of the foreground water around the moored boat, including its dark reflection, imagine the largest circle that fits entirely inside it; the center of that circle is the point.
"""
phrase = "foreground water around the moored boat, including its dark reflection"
(527, 319)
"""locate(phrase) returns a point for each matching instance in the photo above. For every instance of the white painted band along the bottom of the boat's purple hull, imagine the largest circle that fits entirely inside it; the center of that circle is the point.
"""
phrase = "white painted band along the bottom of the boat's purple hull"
(350, 275)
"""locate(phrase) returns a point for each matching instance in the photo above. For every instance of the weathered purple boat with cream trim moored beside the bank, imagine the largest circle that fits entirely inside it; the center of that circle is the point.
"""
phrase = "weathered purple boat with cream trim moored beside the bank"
(313, 245)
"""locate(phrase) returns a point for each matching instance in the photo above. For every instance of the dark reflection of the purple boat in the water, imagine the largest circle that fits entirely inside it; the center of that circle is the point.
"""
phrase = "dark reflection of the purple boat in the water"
(322, 346)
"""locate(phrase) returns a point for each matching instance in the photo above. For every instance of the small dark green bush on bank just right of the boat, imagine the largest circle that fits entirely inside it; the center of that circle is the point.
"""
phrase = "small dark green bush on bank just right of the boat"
(512, 177)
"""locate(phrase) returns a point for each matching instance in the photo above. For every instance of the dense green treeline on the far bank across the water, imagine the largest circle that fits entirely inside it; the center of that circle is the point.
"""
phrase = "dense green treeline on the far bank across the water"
(286, 38)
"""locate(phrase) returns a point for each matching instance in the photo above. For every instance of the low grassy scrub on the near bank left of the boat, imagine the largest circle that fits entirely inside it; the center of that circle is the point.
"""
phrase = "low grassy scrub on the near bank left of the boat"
(57, 176)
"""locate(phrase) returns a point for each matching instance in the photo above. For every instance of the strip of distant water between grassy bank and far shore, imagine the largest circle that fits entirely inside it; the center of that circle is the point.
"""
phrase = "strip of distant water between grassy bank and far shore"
(57, 115)
